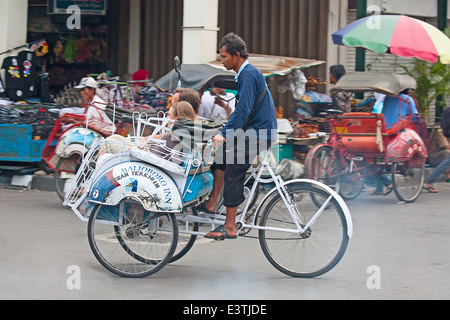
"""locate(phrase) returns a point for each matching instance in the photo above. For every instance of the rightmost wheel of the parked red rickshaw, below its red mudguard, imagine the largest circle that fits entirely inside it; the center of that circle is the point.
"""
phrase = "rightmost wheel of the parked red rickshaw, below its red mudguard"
(408, 178)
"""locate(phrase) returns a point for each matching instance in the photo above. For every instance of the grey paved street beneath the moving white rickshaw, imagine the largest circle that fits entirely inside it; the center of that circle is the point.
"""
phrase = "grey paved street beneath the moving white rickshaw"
(406, 245)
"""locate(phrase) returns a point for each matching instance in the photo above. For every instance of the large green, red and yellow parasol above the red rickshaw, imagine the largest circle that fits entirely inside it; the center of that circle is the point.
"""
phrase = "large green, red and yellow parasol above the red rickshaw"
(398, 35)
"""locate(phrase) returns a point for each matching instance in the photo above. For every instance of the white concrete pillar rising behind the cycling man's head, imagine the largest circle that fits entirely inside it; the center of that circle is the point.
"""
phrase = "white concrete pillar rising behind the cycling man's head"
(200, 31)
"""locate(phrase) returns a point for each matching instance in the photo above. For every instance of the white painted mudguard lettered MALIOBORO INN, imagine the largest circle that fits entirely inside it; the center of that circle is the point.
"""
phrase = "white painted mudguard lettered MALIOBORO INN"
(149, 185)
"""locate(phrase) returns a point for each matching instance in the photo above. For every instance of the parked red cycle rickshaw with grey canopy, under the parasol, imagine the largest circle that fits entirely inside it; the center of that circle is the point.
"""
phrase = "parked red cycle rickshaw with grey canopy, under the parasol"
(362, 145)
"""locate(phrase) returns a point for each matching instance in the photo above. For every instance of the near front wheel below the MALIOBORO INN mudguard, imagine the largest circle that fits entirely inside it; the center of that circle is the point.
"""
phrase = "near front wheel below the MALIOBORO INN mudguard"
(131, 242)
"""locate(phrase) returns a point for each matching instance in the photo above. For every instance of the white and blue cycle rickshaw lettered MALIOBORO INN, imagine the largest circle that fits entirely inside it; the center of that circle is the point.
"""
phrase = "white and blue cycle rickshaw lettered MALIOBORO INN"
(140, 201)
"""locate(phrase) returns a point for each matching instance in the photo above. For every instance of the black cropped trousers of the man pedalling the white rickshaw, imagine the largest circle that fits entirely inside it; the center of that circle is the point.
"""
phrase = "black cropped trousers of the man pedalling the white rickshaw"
(235, 160)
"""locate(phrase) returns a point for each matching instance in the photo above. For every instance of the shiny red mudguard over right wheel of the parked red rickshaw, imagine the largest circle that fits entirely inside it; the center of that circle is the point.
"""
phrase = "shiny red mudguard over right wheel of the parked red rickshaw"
(404, 145)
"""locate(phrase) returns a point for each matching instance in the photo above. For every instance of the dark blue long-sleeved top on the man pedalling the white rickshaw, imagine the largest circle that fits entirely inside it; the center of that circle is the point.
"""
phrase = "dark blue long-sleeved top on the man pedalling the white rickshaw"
(250, 85)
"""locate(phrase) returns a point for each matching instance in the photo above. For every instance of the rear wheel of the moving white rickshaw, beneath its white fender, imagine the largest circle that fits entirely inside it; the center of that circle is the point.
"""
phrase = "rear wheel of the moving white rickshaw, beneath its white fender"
(313, 252)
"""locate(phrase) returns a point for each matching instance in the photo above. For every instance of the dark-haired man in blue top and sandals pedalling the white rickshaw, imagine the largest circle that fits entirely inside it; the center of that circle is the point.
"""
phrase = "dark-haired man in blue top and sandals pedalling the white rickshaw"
(255, 110)
